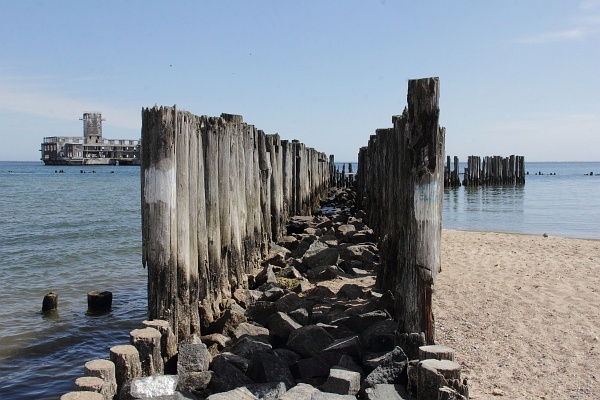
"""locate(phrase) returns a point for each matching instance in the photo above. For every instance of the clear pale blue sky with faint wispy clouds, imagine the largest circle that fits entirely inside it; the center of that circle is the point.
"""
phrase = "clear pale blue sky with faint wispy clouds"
(516, 77)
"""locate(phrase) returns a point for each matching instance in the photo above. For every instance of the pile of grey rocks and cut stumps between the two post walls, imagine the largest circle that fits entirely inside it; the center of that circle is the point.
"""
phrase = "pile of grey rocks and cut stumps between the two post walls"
(310, 326)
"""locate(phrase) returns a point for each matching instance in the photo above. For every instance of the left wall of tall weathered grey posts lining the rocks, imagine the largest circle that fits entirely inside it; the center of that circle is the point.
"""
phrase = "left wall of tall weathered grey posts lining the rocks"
(215, 193)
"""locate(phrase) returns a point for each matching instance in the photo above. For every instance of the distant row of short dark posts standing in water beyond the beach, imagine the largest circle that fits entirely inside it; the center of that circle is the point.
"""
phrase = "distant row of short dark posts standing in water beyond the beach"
(490, 170)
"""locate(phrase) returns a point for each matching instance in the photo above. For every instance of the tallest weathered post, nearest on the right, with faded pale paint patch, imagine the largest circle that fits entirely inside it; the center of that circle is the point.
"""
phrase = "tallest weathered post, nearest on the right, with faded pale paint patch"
(421, 178)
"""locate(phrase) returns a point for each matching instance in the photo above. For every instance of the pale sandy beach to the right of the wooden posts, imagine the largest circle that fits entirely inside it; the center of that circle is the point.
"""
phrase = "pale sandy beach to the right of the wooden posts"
(522, 313)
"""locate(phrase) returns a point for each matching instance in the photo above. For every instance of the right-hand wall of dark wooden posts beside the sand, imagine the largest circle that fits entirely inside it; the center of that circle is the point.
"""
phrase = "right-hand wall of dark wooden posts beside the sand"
(400, 186)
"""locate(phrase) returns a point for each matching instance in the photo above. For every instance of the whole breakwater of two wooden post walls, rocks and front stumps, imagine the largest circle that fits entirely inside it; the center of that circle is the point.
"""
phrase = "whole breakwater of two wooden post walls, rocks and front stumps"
(222, 200)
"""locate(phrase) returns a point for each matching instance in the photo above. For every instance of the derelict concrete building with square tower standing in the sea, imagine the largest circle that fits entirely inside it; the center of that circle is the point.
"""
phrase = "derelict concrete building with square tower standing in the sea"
(92, 148)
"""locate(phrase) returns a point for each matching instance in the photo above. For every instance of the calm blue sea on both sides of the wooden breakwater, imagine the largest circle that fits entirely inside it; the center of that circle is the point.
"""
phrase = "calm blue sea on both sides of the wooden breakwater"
(74, 232)
